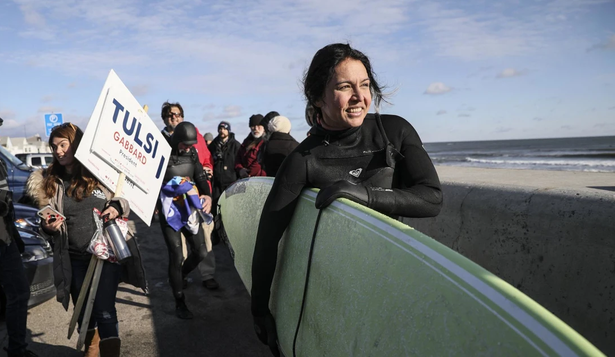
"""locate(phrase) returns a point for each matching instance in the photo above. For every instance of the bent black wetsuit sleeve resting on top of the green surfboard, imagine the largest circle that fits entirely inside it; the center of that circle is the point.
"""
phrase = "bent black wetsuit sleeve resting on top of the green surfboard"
(418, 192)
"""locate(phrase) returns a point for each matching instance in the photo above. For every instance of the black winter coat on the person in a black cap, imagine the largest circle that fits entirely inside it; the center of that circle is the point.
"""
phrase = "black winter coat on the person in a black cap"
(224, 160)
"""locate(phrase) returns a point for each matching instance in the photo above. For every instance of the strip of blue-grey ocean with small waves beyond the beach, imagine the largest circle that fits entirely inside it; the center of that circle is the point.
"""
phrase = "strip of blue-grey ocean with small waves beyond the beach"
(591, 154)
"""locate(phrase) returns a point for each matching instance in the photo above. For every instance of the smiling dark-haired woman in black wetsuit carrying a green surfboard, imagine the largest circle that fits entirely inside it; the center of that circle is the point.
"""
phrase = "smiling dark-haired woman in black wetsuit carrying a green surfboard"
(376, 160)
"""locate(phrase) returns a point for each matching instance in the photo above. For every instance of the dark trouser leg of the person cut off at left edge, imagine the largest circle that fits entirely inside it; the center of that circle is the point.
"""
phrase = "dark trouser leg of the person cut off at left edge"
(17, 289)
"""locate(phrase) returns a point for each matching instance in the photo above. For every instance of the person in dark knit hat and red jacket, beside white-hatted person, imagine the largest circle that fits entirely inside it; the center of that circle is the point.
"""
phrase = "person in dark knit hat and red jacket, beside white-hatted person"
(246, 161)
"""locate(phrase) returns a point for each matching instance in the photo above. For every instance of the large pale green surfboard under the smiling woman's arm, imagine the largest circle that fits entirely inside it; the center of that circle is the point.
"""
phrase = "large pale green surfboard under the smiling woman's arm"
(380, 288)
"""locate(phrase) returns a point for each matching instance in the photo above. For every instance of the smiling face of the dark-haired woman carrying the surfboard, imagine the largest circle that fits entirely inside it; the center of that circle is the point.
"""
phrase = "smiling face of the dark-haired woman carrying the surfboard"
(347, 96)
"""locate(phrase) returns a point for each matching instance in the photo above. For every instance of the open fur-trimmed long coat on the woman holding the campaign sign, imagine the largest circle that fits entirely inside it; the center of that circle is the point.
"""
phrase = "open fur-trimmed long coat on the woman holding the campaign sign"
(133, 271)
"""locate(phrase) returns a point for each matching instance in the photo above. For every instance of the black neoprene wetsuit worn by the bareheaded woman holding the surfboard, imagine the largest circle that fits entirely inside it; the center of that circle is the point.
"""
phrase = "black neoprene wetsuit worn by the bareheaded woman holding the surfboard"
(387, 158)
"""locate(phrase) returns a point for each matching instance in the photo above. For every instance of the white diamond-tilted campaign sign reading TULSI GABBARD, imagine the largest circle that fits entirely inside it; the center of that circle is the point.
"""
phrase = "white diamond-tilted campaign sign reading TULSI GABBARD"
(121, 137)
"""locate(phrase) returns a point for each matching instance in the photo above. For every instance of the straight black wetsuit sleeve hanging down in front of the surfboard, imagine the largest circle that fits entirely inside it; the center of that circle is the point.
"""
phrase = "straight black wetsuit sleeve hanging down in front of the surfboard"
(275, 218)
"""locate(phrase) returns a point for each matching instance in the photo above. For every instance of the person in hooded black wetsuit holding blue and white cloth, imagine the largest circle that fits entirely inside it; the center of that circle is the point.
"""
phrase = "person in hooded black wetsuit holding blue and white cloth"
(183, 163)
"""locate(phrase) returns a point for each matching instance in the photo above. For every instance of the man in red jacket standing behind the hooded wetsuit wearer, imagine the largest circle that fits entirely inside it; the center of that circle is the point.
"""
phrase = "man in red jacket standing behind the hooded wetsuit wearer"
(172, 114)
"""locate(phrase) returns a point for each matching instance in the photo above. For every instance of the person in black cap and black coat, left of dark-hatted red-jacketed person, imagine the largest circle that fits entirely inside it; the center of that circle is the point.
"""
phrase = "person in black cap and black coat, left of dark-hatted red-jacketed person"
(223, 149)
